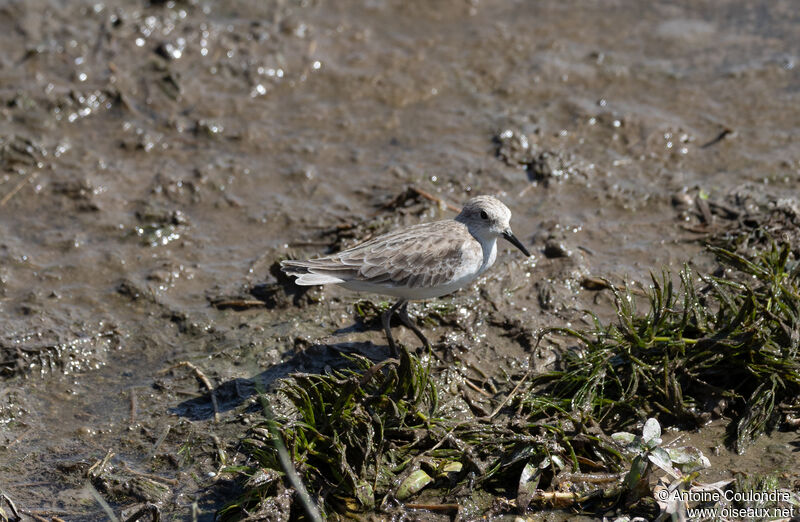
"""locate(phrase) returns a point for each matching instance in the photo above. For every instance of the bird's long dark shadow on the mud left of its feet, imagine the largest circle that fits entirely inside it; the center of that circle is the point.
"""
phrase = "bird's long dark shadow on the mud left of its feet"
(318, 358)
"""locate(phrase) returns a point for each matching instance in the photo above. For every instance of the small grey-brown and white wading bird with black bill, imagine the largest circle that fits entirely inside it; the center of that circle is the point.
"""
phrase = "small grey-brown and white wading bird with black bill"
(418, 262)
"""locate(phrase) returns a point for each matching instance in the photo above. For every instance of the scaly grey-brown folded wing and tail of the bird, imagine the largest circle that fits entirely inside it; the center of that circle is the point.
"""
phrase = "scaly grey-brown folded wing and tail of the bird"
(421, 256)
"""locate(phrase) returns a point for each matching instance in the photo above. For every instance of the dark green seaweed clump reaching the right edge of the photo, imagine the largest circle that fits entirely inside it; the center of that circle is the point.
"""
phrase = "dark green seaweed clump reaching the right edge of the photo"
(720, 344)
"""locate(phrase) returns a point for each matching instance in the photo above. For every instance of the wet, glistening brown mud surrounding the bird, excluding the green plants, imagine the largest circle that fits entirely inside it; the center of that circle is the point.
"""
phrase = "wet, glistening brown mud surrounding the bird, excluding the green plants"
(157, 159)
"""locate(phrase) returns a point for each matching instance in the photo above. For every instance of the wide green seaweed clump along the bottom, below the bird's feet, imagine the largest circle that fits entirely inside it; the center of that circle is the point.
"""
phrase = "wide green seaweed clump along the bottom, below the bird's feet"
(372, 436)
